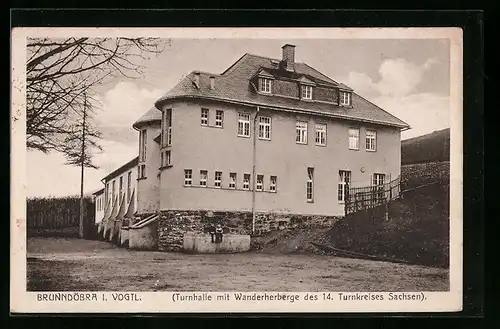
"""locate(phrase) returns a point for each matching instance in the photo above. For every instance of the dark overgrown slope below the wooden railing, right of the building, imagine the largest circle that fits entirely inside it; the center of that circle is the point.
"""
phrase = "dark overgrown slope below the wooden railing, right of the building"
(417, 230)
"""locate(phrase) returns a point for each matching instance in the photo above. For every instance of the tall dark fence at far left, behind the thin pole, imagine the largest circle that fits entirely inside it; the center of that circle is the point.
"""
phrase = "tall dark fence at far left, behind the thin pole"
(60, 216)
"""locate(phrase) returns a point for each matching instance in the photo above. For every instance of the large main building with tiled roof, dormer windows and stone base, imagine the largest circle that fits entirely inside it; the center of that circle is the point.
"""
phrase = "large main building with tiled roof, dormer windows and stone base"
(267, 142)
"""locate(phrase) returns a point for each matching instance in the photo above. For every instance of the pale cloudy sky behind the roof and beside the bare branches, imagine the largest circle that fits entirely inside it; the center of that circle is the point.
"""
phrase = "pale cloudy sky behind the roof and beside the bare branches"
(408, 78)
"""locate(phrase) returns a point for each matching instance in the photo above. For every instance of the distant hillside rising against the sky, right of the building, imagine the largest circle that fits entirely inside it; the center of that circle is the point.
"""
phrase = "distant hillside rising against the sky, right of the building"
(427, 148)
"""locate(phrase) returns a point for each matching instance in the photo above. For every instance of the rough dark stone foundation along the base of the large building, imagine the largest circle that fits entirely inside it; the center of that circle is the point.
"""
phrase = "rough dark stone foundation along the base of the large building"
(173, 224)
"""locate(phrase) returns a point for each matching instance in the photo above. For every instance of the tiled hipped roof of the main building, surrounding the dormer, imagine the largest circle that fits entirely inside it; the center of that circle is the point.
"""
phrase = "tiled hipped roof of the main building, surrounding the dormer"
(233, 85)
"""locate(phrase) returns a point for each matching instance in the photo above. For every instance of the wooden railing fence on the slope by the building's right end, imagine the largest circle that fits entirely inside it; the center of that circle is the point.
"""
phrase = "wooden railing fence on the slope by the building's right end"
(359, 198)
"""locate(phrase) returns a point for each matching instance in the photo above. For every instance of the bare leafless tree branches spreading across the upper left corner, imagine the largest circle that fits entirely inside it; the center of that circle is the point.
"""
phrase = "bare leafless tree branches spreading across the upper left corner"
(59, 72)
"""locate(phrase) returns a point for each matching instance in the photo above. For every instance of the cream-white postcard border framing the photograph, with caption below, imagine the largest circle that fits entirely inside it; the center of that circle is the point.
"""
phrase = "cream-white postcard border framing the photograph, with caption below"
(152, 302)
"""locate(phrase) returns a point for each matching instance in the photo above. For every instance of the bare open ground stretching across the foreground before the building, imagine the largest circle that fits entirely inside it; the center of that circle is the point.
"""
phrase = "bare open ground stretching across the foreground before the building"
(66, 264)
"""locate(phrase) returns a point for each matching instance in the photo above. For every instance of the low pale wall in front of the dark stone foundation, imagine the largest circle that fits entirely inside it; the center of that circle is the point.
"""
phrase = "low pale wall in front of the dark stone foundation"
(202, 243)
